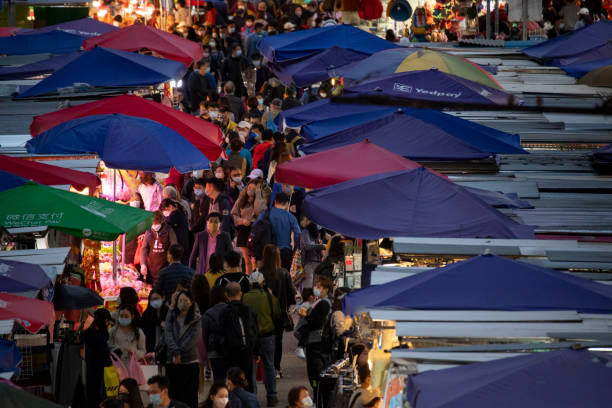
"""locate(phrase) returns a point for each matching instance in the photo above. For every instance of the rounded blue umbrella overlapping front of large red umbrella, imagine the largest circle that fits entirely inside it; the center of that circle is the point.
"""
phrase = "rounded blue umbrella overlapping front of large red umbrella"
(123, 142)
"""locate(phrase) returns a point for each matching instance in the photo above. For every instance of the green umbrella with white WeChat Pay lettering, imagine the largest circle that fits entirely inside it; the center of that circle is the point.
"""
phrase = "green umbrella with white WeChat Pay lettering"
(29, 204)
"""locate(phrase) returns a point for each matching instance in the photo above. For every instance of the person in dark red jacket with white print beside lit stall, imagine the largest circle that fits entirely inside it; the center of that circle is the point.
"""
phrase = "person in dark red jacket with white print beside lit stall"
(153, 255)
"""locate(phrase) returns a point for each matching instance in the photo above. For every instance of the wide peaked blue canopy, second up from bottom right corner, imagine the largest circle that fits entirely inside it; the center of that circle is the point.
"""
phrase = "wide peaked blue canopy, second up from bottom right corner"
(486, 282)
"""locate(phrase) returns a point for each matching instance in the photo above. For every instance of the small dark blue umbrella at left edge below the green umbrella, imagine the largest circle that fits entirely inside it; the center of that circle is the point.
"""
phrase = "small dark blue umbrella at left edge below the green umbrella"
(21, 277)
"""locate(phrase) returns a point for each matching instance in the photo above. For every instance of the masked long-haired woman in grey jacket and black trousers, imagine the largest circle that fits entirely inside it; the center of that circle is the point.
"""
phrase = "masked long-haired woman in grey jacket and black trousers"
(181, 337)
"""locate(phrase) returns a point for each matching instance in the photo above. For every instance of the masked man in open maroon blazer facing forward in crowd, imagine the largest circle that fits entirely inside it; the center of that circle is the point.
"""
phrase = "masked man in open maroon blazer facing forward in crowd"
(208, 242)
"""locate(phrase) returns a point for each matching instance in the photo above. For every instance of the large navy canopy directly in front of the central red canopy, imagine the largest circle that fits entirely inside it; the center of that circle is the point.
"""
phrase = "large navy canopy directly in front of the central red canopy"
(408, 203)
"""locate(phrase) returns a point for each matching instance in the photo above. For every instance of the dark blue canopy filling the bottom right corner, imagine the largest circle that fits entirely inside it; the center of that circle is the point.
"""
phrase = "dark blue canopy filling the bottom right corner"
(554, 379)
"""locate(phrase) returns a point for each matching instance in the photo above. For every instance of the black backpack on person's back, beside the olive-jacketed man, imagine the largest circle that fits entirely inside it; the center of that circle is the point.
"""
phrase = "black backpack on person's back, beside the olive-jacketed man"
(237, 333)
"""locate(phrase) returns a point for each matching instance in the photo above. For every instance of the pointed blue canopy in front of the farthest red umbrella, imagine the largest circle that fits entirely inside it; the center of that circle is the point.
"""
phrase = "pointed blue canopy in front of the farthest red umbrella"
(105, 67)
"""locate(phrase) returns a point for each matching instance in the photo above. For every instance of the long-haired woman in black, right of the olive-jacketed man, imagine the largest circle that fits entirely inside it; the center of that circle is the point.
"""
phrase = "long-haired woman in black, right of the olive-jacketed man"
(279, 281)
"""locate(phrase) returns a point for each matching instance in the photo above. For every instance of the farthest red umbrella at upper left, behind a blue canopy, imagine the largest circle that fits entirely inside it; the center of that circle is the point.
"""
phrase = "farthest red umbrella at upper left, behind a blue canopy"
(141, 37)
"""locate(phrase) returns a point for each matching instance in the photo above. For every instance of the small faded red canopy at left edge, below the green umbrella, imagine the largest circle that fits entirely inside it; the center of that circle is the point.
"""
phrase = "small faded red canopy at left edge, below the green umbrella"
(32, 314)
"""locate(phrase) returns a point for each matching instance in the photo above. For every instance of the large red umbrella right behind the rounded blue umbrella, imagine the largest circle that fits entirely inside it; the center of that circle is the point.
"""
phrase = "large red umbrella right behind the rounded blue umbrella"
(205, 136)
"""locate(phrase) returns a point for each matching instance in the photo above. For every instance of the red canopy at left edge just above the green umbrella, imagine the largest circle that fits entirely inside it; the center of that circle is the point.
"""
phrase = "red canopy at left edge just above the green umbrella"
(47, 174)
